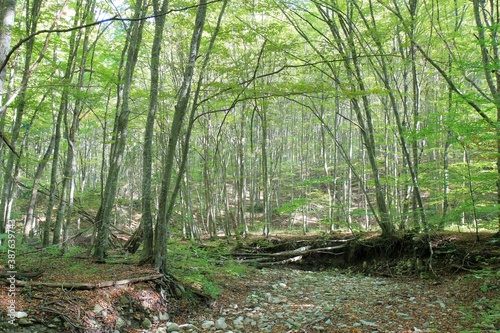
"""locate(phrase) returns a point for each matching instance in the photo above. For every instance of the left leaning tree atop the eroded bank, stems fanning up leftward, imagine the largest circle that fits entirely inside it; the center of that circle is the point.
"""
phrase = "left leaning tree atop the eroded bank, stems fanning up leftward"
(340, 24)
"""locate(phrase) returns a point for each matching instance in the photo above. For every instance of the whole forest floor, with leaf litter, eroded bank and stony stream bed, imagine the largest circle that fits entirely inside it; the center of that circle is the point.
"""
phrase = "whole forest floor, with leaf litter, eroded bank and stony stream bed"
(365, 284)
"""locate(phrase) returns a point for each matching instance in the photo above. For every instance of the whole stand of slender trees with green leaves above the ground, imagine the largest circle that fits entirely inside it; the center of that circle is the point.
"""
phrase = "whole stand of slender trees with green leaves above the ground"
(133, 126)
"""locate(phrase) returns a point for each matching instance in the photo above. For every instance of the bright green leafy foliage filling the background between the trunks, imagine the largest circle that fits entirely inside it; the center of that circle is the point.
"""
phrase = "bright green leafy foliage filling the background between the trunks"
(279, 59)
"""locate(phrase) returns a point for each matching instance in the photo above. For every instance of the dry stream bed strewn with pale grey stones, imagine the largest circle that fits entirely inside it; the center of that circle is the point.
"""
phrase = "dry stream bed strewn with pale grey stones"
(288, 300)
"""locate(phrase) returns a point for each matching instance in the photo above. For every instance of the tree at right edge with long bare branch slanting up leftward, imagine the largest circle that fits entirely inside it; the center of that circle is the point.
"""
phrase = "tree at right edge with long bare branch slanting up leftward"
(486, 20)
